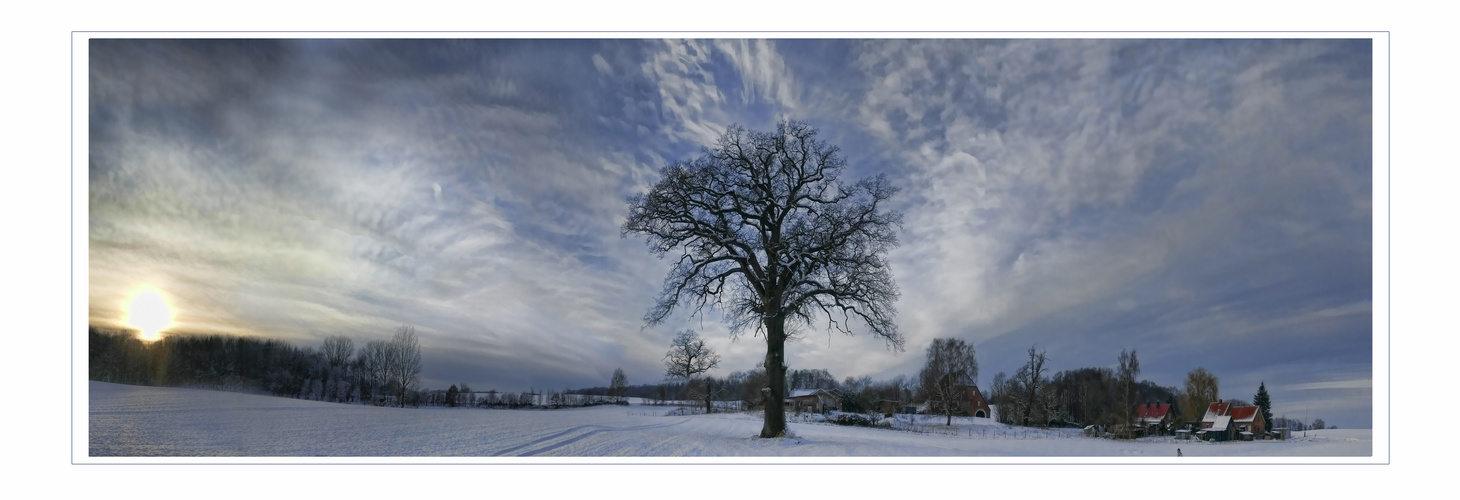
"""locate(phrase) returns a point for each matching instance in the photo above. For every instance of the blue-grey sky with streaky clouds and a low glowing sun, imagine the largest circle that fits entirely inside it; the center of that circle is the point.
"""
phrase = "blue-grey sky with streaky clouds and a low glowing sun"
(1205, 202)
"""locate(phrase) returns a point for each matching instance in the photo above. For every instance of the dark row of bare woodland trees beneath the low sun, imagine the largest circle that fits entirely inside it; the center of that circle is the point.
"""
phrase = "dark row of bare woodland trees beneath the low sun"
(382, 372)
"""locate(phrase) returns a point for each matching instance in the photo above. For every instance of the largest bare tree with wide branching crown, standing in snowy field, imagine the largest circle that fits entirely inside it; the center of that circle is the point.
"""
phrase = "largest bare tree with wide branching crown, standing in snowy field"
(769, 235)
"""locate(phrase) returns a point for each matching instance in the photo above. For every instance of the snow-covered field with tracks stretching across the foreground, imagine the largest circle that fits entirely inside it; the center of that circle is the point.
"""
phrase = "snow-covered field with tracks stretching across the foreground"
(134, 422)
